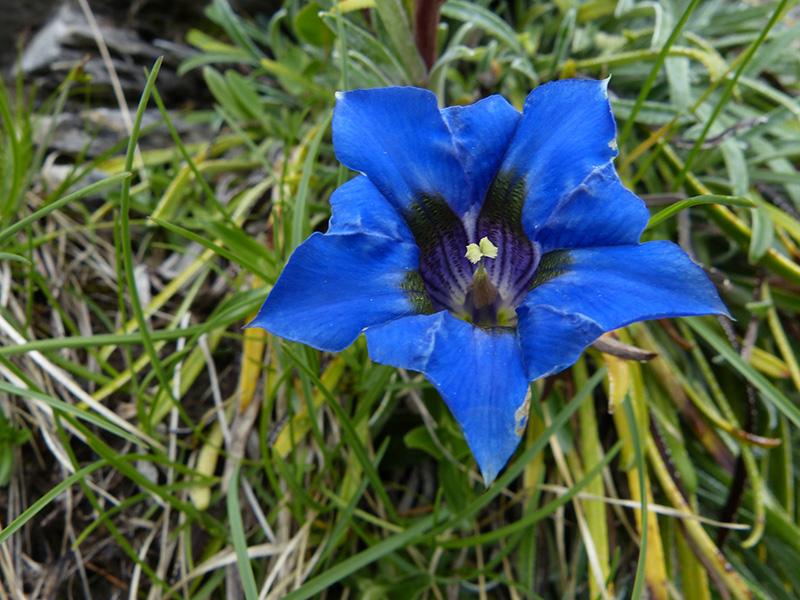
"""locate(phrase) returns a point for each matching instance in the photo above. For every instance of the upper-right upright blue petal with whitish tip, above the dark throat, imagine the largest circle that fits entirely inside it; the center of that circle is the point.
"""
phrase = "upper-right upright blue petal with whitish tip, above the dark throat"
(567, 130)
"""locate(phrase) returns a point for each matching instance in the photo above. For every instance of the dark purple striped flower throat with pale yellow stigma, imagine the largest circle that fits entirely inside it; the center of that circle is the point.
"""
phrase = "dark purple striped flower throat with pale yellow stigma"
(485, 284)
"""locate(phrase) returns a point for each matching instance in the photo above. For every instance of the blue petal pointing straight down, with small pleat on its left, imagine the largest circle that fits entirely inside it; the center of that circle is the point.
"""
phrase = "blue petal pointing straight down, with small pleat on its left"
(478, 372)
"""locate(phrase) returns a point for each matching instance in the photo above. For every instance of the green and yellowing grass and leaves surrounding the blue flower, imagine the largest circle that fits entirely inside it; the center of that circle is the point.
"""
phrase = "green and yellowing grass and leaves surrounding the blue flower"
(150, 447)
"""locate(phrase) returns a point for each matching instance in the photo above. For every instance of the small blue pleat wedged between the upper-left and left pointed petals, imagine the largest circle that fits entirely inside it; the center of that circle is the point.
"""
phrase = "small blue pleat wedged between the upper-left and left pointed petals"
(358, 207)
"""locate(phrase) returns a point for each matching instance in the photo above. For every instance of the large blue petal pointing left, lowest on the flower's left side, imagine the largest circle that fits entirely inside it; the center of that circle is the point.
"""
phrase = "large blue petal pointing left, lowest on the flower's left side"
(336, 285)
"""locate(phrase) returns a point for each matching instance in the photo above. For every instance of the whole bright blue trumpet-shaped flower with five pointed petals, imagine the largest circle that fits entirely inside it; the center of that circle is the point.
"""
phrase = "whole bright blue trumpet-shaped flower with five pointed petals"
(482, 247)
